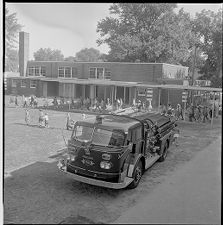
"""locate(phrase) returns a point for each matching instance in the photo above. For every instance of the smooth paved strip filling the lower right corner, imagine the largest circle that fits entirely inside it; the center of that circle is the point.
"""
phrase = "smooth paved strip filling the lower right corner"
(191, 195)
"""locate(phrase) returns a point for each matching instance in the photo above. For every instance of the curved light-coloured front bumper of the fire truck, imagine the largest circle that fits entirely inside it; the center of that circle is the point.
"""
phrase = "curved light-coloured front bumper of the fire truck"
(127, 180)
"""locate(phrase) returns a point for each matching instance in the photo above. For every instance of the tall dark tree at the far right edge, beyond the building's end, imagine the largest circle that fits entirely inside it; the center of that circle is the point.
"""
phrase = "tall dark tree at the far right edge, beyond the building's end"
(208, 27)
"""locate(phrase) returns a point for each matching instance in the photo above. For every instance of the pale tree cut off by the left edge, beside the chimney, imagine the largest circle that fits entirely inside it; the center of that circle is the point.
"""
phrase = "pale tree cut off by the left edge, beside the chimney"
(12, 28)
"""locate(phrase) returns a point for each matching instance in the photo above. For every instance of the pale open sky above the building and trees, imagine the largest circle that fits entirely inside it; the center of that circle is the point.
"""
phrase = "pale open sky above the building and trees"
(71, 27)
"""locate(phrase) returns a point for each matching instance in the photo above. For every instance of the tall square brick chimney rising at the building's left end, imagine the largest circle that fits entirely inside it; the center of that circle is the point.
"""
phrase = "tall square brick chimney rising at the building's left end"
(23, 52)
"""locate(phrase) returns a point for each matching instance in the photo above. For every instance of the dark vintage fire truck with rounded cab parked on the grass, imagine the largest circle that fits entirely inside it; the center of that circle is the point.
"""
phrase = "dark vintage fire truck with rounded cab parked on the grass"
(114, 150)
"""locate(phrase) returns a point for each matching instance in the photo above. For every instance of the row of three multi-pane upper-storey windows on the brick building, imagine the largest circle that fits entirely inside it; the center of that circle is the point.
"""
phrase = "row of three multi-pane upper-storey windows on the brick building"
(71, 72)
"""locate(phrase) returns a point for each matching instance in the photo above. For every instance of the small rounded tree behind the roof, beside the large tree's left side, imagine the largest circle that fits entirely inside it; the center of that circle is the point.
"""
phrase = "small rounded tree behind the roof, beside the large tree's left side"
(88, 55)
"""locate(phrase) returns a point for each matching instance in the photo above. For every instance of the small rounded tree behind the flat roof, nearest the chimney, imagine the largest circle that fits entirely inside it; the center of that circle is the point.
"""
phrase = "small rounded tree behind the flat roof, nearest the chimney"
(47, 54)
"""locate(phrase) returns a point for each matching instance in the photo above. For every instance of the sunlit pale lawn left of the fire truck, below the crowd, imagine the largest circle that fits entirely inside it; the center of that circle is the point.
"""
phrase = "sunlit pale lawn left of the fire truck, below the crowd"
(25, 144)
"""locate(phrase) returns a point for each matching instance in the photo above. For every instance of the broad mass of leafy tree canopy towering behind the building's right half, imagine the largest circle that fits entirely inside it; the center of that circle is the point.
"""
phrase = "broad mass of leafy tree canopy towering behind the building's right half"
(145, 32)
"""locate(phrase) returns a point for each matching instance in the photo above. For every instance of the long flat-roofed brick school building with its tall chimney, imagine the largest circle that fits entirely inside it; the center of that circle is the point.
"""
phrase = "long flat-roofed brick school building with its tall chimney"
(96, 79)
